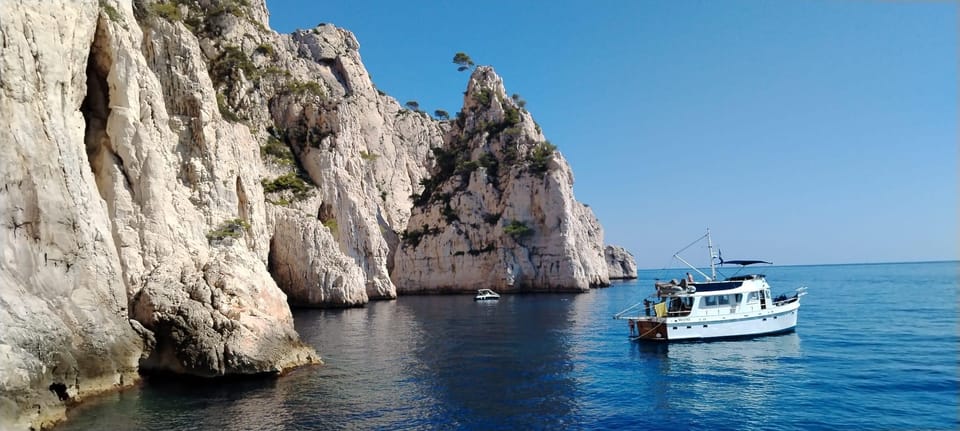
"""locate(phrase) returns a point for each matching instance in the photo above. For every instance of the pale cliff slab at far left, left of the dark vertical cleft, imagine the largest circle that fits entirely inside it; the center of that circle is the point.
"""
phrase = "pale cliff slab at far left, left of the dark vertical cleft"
(64, 328)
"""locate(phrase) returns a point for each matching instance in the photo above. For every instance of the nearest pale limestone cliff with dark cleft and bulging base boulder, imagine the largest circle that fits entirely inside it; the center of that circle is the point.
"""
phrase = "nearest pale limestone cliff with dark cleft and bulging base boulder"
(116, 167)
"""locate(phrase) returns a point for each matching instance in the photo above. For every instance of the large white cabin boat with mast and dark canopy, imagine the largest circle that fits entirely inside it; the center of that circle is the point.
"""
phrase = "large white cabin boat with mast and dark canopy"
(739, 306)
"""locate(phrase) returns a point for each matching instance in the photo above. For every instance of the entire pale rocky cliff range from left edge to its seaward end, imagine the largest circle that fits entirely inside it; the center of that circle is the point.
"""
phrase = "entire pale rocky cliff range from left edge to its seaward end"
(176, 173)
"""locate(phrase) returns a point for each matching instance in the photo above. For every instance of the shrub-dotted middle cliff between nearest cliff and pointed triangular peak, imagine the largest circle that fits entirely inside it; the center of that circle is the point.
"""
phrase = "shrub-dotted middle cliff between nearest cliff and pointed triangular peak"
(340, 158)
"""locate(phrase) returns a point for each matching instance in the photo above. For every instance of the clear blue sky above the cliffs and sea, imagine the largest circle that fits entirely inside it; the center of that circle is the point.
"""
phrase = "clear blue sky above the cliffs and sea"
(801, 132)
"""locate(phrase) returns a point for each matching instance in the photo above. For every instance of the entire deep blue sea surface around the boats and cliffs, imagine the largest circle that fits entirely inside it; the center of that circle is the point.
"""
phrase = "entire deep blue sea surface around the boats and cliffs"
(876, 348)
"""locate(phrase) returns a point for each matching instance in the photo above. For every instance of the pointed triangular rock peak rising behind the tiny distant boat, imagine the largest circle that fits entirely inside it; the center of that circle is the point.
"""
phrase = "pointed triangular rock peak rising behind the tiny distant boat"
(498, 210)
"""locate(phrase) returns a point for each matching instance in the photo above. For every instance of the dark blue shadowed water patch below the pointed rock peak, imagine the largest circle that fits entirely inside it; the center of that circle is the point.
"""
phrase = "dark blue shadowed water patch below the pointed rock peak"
(500, 364)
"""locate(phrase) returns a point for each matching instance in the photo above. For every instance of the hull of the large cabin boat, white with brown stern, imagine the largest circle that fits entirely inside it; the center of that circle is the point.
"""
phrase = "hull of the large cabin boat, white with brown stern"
(769, 322)
